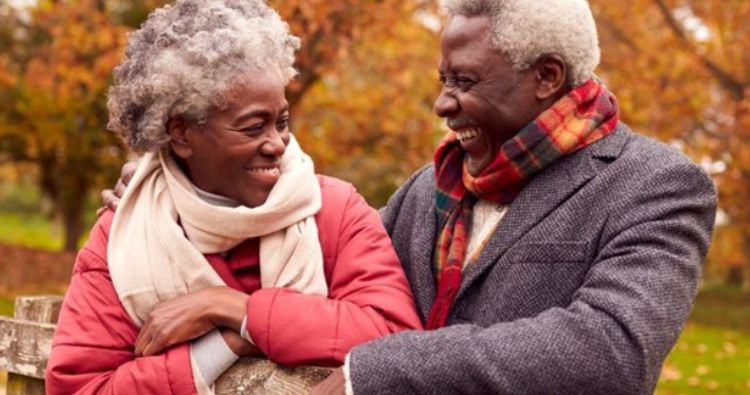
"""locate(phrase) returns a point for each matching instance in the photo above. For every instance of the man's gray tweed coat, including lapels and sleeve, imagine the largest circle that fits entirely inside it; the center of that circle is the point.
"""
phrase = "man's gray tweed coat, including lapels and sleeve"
(582, 289)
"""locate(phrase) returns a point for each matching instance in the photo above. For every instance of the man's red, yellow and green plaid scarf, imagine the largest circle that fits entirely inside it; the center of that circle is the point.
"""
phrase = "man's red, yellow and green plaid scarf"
(583, 116)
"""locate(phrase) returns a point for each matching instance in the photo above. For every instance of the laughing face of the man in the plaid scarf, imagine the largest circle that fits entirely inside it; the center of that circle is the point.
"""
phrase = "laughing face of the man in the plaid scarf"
(483, 99)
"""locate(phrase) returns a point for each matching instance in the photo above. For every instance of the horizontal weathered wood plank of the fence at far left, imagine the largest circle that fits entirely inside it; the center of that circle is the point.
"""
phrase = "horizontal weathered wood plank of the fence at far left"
(24, 346)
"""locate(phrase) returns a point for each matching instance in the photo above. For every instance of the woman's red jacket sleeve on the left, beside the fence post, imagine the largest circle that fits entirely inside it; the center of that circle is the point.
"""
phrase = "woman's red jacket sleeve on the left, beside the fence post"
(92, 349)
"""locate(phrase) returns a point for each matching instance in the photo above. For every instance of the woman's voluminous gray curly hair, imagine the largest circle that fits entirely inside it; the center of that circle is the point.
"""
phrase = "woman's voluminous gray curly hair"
(184, 59)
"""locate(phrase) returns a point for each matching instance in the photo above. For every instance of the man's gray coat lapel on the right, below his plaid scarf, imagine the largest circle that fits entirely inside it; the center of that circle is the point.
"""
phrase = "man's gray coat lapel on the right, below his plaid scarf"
(542, 195)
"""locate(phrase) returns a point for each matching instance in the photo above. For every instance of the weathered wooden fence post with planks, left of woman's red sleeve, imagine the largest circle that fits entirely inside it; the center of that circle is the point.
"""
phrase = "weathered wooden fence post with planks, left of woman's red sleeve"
(25, 342)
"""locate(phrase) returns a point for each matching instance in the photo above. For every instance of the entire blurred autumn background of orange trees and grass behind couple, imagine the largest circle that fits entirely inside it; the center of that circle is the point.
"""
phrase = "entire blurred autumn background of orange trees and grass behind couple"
(362, 107)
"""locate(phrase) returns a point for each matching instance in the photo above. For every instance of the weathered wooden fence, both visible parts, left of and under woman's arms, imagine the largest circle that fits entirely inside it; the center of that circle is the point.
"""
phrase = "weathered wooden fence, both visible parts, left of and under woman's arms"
(26, 339)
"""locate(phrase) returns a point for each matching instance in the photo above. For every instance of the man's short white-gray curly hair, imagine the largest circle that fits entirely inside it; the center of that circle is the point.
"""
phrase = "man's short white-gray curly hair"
(525, 30)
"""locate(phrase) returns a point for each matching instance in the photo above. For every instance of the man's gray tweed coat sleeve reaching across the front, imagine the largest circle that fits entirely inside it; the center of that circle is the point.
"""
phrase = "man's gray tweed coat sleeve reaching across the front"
(611, 338)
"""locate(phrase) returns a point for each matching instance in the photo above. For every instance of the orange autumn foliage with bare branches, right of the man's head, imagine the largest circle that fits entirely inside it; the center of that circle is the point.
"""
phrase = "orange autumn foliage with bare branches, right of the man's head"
(681, 70)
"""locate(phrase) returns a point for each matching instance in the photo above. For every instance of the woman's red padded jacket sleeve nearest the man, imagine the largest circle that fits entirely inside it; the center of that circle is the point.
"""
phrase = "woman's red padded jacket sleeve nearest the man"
(368, 296)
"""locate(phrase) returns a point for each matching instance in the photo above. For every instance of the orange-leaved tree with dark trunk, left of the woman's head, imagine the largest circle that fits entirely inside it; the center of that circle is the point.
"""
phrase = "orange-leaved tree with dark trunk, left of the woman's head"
(56, 75)
